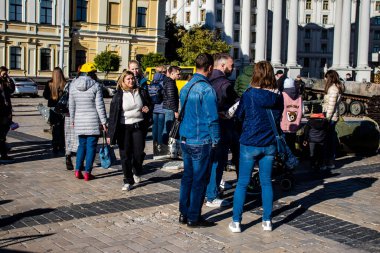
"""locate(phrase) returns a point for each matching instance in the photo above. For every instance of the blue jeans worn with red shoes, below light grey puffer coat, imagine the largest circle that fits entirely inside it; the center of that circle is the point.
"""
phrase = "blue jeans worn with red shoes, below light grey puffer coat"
(86, 150)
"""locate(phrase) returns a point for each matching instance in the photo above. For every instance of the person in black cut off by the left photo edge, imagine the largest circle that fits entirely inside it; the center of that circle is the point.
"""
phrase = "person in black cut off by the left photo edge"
(7, 87)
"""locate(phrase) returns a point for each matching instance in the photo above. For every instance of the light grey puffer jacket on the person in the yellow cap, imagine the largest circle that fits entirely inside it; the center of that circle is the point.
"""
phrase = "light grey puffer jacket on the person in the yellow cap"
(86, 106)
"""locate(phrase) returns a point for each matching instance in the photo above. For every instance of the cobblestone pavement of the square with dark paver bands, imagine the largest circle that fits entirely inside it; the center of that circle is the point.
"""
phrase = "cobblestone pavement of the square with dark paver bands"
(43, 208)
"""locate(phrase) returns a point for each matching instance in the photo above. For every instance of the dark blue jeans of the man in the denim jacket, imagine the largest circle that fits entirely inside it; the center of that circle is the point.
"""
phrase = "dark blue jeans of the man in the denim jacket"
(196, 159)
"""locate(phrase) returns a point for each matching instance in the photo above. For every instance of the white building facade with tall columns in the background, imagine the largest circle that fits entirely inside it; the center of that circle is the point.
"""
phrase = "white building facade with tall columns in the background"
(302, 36)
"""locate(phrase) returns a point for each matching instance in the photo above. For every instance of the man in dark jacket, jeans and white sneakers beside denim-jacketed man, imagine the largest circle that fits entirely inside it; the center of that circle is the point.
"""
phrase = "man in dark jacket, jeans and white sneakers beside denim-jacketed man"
(229, 139)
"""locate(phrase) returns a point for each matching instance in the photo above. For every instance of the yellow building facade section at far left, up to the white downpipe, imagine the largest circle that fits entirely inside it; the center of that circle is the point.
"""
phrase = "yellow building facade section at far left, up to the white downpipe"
(30, 36)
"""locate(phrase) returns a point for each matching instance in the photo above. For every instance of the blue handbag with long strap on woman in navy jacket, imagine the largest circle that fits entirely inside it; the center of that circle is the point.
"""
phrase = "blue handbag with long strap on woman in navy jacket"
(283, 150)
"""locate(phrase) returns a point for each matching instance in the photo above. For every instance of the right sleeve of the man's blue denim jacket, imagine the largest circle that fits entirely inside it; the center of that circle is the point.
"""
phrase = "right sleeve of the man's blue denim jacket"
(210, 107)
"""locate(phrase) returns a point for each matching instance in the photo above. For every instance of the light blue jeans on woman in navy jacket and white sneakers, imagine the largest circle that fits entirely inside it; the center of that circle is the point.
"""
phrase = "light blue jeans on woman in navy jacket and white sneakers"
(249, 155)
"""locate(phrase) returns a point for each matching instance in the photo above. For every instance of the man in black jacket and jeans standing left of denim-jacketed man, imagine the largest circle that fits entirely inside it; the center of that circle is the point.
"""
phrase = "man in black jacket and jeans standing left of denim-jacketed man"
(170, 101)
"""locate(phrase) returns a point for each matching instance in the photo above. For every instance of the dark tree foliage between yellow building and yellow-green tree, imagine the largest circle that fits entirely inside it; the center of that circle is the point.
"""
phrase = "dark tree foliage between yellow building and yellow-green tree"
(173, 43)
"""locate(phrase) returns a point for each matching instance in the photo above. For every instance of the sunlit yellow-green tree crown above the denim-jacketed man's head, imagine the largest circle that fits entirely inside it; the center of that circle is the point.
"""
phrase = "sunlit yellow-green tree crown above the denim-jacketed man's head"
(199, 40)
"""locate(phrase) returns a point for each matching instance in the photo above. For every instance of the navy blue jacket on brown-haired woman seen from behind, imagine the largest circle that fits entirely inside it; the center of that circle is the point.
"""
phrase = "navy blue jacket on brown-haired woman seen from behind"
(257, 130)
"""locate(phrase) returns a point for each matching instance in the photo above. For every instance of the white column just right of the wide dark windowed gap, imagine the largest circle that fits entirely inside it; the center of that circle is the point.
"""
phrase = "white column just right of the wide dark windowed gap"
(337, 33)
